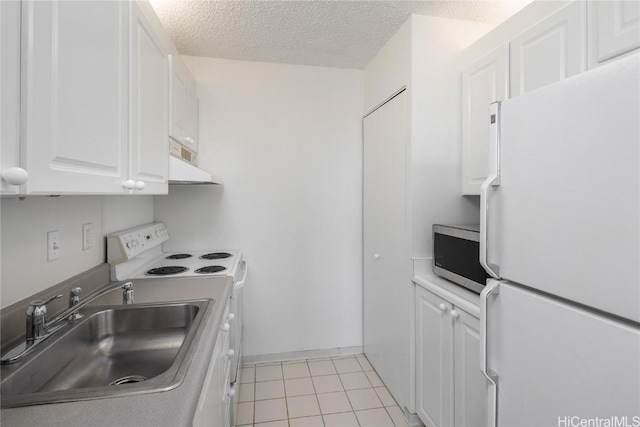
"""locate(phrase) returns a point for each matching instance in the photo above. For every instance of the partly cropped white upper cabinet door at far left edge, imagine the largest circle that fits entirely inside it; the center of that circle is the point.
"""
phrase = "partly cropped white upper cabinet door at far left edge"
(9, 90)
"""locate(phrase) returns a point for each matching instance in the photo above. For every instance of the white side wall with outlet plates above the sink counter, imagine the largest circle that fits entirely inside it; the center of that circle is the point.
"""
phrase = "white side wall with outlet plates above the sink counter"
(24, 225)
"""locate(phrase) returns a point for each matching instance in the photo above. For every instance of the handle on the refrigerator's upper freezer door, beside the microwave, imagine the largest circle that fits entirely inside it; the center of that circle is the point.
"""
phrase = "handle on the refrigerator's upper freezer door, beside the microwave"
(493, 180)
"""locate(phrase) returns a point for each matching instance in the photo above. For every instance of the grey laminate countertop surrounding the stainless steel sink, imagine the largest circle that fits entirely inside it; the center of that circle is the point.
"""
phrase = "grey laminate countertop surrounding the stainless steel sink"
(169, 408)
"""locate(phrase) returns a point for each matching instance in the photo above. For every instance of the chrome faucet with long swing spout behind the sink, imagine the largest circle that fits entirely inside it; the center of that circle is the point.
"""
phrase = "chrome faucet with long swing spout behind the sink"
(38, 328)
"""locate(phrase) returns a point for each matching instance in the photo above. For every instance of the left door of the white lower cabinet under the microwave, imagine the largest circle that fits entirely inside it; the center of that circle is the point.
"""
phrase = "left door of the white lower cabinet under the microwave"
(434, 359)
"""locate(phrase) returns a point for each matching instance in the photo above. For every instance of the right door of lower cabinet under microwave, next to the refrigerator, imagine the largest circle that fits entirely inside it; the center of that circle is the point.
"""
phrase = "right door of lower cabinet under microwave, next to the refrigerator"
(470, 383)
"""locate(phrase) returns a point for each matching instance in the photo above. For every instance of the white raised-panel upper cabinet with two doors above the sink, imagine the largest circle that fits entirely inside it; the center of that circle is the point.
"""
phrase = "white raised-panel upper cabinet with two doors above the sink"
(94, 99)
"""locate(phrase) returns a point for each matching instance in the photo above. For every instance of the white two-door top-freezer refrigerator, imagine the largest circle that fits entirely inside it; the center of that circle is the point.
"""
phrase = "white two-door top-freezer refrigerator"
(560, 235)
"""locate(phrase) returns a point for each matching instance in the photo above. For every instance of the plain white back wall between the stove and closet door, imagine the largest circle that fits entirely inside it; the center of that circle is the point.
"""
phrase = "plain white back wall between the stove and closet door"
(287, 141)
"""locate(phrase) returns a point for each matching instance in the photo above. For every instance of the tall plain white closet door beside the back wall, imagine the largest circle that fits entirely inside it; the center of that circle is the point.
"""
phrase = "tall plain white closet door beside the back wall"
(386, 313)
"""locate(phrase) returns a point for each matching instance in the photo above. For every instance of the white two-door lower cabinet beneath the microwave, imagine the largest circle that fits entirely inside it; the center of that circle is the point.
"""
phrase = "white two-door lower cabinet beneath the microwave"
(450, 388)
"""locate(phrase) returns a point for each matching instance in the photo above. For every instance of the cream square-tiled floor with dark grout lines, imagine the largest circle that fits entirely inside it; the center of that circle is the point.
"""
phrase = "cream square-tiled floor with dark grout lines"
(332, 392)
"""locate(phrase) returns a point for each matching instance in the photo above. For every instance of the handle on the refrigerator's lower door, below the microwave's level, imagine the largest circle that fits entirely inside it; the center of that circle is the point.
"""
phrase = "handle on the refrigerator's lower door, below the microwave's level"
(492, 288)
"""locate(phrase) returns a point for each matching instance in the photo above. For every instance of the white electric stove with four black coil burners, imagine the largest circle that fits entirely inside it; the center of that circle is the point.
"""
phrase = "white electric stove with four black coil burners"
(137, 253)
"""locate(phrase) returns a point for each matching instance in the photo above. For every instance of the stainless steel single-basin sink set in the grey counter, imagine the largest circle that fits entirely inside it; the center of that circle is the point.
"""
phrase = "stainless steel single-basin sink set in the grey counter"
(112, 351)
